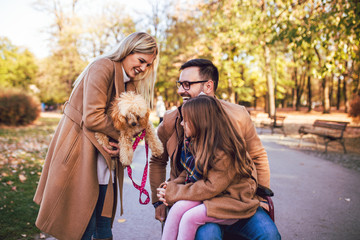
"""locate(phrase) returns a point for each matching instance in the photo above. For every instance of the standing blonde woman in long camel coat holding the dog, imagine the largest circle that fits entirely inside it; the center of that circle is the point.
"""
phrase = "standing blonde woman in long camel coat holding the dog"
(77, 190)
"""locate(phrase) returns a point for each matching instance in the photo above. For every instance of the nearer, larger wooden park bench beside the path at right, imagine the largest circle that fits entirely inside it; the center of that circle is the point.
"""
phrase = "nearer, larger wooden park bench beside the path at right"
(326, 129)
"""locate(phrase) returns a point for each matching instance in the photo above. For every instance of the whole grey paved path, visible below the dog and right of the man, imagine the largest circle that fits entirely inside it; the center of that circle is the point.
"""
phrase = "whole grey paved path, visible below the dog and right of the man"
(314, 198)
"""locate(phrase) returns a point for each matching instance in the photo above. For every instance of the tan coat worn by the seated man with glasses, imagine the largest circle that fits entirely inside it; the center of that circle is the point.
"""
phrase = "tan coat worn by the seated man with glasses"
(171, 134)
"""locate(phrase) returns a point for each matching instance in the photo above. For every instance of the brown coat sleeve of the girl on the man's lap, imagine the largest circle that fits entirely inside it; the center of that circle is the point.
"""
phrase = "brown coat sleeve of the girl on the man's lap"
(218, 180)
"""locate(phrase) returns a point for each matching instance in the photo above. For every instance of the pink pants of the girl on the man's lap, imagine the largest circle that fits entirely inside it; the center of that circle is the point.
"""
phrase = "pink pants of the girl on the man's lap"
(185, 217)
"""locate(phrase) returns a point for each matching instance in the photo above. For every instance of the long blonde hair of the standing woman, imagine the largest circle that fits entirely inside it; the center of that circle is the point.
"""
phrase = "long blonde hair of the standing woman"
(138, 42)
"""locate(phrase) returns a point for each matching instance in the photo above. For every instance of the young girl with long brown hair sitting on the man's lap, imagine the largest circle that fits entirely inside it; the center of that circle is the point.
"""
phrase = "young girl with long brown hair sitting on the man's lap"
(218, 181)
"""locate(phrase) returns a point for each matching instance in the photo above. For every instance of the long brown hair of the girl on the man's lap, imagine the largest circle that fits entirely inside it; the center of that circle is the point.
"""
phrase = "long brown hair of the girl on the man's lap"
(213, 131)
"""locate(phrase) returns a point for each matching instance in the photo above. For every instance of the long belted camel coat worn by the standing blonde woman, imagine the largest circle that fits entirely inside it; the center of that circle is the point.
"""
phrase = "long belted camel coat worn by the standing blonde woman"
(68, 188)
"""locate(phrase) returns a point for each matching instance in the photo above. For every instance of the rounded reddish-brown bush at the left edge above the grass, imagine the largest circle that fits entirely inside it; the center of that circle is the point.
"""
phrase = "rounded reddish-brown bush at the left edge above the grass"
(17, 108)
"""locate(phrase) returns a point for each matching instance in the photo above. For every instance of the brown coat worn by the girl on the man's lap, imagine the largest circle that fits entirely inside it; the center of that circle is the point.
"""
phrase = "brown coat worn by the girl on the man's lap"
(225, 194)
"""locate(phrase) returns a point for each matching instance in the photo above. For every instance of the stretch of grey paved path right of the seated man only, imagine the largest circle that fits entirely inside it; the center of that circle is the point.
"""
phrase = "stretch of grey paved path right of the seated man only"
(314, 198)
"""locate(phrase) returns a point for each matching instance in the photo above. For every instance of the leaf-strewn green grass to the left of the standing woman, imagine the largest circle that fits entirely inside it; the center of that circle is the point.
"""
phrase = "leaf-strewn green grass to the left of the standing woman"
(22, 153)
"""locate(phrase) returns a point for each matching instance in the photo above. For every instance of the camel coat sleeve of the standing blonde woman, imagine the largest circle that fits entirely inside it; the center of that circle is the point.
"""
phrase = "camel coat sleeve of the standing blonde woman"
(97, 83)
